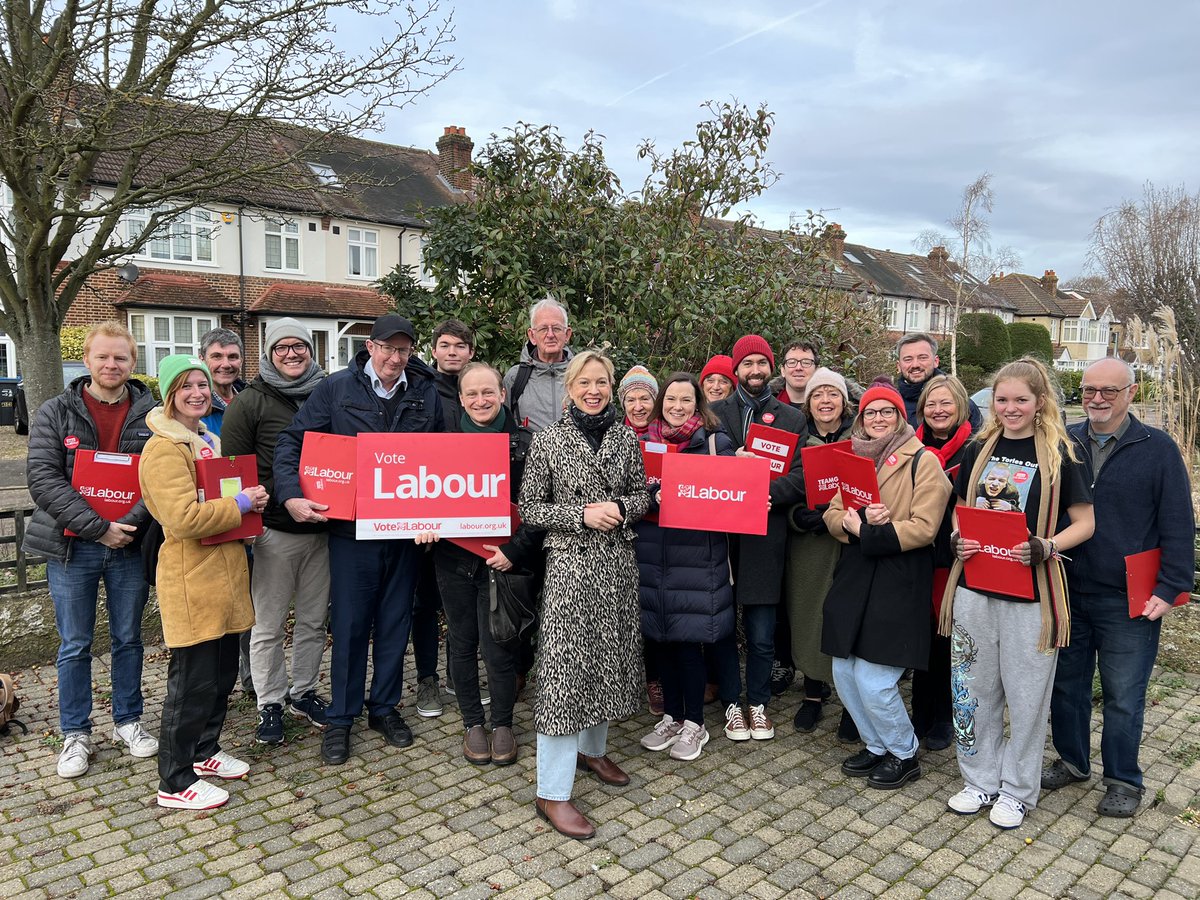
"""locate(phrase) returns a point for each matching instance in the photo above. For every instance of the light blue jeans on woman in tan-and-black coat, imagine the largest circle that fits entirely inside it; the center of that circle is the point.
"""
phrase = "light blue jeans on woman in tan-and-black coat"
(869, 693)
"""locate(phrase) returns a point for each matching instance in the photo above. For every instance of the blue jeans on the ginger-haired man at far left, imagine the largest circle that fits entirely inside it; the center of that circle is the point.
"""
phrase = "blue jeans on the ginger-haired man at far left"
(74, 589)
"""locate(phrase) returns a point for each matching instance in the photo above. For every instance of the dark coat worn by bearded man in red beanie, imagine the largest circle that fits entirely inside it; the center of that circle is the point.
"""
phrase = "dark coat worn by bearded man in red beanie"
(759, 560)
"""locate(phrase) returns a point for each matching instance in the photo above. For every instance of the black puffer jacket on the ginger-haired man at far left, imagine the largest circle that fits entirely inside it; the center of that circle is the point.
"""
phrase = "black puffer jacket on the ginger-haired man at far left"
(51, 469)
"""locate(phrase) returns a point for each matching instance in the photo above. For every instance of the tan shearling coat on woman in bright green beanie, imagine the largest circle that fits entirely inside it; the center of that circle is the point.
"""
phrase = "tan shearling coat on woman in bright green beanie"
(203, 592)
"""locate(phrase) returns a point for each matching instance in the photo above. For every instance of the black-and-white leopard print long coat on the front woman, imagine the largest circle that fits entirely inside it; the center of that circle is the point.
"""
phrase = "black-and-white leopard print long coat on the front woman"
(590, 663)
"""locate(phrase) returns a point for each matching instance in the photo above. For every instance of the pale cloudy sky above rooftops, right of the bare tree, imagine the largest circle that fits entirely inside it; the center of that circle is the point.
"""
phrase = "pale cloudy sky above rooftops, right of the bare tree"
(885, 111)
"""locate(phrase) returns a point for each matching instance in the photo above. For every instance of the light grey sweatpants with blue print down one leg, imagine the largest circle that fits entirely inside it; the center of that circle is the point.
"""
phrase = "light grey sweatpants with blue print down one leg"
(995, 662)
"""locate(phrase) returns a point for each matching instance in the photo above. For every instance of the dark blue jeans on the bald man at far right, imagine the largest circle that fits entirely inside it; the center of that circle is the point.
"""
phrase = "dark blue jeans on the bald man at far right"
(1102, 633)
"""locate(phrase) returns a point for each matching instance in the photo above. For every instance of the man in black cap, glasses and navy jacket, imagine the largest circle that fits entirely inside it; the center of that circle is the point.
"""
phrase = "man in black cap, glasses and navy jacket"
(385, 389)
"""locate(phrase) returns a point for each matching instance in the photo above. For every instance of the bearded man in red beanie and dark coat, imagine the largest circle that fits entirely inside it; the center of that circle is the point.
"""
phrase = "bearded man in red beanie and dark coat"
(759, 581)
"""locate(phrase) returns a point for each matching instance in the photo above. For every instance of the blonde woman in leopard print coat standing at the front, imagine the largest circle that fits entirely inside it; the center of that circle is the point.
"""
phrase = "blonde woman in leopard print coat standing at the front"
(585, 484)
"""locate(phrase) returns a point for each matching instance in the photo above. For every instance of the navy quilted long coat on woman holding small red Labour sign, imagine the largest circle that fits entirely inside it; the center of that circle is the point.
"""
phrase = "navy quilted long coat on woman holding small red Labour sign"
(685, 578)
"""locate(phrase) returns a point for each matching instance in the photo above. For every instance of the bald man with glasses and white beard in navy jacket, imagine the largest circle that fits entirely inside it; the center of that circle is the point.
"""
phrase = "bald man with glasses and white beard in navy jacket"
(1143, 501)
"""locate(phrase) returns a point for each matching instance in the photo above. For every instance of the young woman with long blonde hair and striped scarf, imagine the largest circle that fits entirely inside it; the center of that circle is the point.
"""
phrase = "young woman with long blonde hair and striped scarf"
(1004, 649)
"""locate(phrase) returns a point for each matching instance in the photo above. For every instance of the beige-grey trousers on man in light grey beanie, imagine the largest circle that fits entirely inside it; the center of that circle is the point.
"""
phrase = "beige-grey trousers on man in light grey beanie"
(289, 568)
